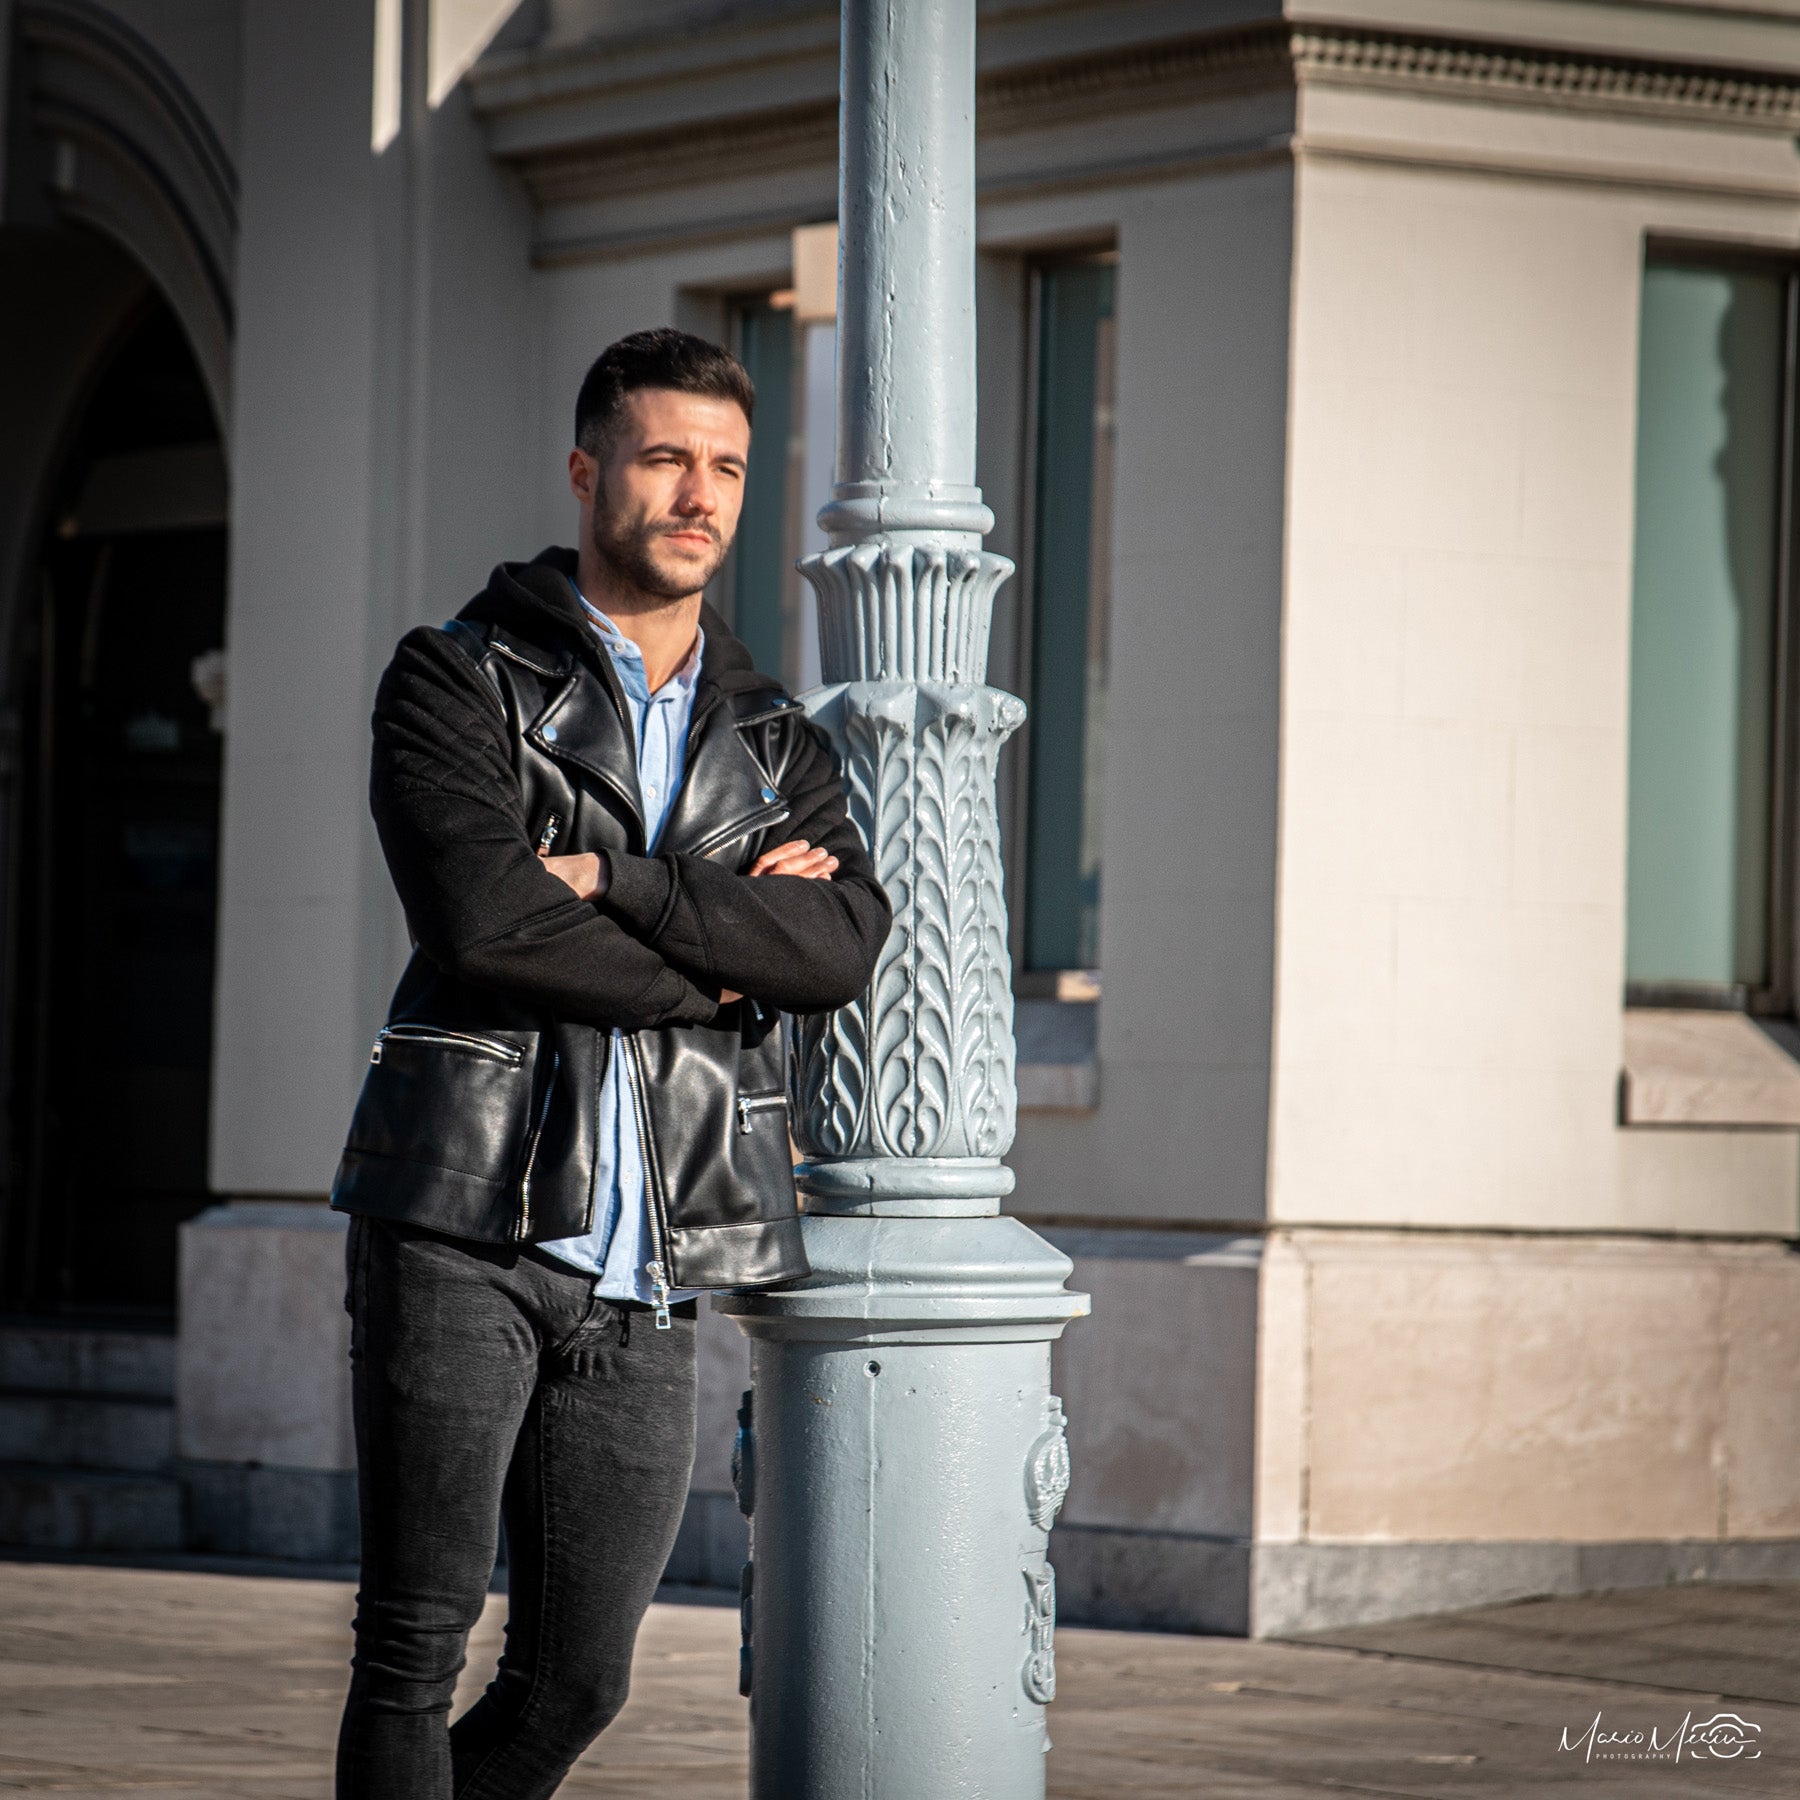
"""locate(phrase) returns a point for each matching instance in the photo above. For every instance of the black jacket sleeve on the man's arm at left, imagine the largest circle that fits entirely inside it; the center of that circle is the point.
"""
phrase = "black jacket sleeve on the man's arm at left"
(451, 818)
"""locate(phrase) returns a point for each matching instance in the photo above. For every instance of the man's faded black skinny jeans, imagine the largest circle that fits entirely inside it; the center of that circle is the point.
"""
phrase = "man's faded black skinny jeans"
(485, 1380)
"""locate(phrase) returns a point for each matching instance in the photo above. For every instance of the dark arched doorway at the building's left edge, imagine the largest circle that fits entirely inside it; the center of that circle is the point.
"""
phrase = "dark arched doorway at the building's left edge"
(114, 840)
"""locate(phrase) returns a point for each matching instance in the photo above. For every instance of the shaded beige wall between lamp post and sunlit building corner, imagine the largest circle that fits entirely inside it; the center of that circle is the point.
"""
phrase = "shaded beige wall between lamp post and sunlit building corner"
(1192, 726)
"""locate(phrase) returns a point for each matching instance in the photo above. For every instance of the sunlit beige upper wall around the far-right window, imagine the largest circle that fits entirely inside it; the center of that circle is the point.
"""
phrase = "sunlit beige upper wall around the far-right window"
(1457, 663)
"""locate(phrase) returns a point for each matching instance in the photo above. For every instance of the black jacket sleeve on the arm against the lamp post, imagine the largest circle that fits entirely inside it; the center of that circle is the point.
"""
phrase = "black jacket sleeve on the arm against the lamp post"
(800, 946)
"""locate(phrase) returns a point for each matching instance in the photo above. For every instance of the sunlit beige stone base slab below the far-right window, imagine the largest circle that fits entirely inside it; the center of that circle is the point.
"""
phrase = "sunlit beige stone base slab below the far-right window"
(1462, 1389)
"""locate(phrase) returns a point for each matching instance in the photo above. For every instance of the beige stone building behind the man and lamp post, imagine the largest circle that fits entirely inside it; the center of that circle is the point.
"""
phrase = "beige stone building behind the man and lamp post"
(1392, 418)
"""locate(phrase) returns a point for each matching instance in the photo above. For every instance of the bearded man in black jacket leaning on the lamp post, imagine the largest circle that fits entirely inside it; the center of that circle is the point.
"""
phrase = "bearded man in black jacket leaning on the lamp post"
(624, 854)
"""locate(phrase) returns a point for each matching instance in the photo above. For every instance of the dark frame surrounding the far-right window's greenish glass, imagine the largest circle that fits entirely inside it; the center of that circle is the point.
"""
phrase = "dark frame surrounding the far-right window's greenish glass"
(1777, 996)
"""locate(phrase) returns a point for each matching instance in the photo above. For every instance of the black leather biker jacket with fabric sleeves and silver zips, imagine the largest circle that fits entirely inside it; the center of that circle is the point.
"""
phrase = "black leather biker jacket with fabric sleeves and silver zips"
(478, 1113)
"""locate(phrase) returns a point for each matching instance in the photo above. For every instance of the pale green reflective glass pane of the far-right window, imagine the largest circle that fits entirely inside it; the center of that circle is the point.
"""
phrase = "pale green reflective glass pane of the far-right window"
(1704, 627)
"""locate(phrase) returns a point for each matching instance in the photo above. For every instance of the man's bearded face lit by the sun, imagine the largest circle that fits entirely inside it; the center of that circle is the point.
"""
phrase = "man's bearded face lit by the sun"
(661, 501)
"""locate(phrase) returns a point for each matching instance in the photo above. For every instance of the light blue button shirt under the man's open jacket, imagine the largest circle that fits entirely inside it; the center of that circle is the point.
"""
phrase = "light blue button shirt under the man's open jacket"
(622, 1241)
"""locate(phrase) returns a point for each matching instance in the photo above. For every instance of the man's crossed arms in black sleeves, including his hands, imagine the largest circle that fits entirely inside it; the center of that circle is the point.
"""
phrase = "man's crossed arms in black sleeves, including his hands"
(669, 937)
